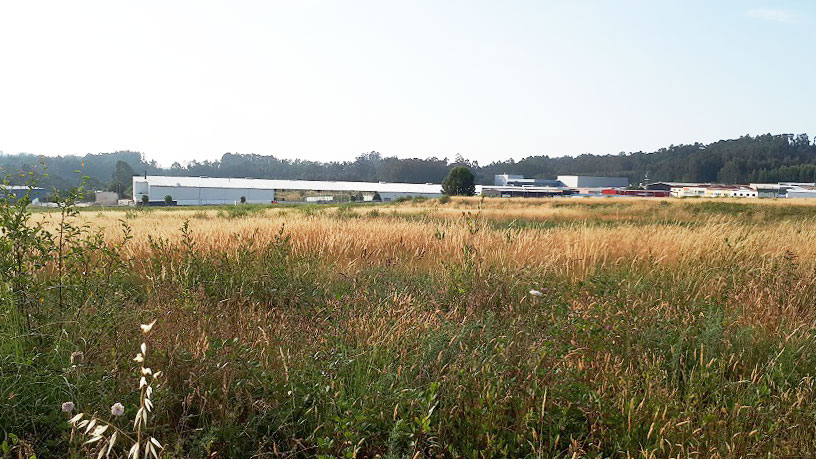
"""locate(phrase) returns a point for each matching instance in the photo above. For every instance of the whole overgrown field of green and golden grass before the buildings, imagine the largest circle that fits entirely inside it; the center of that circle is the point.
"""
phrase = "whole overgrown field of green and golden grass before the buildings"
(495, 328)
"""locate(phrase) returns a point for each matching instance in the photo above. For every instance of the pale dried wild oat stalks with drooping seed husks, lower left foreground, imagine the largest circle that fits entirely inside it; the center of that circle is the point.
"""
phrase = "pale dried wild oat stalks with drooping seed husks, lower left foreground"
(105, 433)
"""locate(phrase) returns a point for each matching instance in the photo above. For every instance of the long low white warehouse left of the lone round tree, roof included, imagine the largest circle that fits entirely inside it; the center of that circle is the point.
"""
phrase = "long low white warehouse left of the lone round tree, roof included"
(193, 191)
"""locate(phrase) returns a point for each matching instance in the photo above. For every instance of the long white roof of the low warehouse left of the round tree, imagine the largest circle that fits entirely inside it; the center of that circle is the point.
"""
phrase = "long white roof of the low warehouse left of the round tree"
(266, 184)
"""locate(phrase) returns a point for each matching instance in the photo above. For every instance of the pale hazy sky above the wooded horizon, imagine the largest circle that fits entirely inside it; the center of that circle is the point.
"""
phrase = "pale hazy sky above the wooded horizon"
(329, 80)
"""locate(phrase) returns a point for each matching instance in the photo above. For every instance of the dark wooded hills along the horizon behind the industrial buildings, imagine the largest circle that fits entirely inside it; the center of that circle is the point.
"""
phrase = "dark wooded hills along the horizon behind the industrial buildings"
(763, 158)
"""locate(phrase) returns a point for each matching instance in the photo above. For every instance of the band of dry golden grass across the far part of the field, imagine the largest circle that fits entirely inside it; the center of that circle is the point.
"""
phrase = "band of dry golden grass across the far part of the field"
(575, 245)
